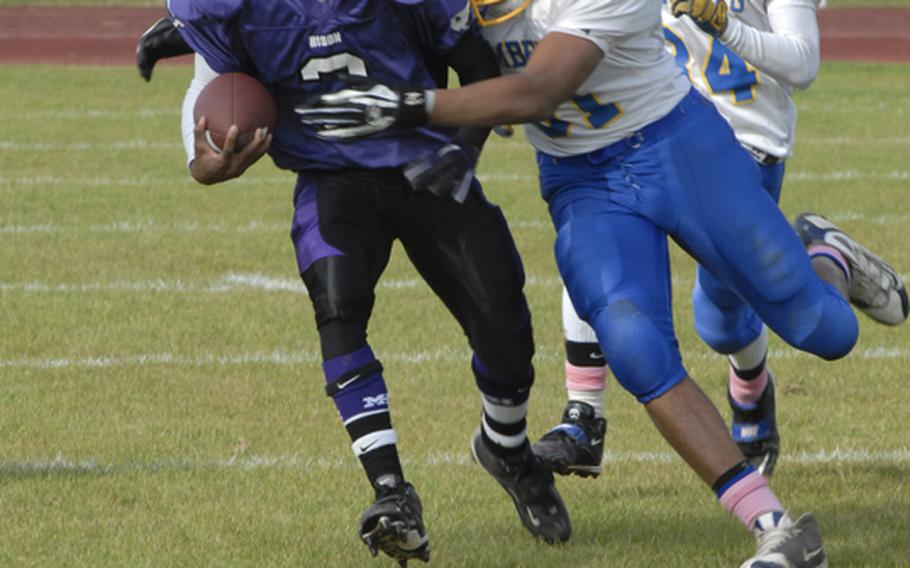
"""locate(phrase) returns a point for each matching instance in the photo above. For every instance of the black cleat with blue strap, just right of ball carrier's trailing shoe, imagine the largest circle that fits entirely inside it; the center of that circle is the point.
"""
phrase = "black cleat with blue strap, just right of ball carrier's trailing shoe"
(576, 445)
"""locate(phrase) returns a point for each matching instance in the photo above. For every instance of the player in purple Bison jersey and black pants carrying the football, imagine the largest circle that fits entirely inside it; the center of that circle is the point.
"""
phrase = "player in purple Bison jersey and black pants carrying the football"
(353, 199)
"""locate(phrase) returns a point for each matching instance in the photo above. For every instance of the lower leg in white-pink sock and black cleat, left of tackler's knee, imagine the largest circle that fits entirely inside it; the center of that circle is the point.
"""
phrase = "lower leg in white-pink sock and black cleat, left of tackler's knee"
(575, 445)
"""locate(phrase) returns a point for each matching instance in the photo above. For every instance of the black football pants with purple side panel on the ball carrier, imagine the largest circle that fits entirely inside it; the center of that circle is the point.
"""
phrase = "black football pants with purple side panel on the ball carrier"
(465, 253)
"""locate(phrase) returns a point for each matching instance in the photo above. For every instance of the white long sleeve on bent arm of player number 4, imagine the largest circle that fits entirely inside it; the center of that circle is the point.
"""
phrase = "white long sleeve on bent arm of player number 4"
(789, 52)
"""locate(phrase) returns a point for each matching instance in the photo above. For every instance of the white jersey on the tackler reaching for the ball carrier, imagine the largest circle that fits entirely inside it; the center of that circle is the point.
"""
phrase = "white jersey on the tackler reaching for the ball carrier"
(635, 83)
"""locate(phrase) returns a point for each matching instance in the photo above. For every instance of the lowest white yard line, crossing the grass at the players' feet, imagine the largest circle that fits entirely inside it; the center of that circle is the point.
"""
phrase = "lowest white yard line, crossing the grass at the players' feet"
(87, 466)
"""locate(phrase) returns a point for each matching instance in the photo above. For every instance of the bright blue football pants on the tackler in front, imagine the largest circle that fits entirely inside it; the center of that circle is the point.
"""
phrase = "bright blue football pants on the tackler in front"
(685, 176)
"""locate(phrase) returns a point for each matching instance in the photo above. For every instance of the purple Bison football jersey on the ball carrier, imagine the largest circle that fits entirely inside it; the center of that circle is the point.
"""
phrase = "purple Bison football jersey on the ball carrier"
(299, 48)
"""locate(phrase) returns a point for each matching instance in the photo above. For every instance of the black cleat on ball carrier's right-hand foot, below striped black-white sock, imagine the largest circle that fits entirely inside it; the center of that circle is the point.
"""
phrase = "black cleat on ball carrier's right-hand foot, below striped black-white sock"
(532, 489)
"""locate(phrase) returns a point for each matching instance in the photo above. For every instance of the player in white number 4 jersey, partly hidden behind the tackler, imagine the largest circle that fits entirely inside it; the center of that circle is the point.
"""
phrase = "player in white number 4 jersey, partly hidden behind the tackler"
(748, 60)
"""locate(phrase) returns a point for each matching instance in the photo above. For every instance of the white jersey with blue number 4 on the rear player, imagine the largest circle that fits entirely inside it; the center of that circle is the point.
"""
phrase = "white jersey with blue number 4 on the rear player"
(759, 107)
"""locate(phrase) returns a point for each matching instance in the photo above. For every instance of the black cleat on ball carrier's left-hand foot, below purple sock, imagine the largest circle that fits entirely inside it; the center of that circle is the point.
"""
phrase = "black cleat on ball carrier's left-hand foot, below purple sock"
(394, 524)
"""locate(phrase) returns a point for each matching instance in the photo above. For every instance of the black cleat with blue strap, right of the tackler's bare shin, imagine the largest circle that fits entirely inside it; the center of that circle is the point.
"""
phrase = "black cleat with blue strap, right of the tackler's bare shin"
(754, 430)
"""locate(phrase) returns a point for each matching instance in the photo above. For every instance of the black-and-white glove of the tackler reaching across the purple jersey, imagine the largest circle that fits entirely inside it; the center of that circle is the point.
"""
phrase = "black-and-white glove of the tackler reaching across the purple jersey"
(364, 108)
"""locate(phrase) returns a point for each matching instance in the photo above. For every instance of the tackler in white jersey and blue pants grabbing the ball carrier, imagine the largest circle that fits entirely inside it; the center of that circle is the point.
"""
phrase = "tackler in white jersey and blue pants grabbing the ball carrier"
(629, 154)
